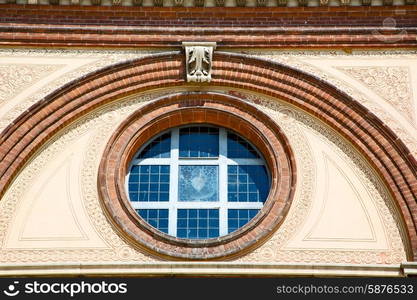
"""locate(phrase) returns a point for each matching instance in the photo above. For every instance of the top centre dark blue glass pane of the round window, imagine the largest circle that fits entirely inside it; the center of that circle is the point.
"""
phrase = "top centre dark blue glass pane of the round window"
(199, 142)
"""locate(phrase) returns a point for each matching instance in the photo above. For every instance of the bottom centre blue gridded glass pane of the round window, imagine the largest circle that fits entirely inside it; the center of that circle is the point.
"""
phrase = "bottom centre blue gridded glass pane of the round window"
(198, 223)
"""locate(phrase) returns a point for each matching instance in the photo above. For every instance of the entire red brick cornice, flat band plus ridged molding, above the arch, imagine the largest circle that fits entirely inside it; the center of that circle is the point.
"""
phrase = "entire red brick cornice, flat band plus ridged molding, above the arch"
(270, 27)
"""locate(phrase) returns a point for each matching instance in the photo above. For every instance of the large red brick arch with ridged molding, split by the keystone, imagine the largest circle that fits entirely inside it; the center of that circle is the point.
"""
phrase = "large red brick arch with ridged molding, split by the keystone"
(383, 149)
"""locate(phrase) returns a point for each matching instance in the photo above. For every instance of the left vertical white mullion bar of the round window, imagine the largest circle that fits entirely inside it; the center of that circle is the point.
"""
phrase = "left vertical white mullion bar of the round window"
(173, 183)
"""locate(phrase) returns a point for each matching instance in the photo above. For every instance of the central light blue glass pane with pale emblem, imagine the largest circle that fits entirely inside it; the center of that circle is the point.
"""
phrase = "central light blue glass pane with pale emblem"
(198, 183)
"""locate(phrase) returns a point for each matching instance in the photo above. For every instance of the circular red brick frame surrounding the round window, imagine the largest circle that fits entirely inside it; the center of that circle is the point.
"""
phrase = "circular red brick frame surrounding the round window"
(191, 109)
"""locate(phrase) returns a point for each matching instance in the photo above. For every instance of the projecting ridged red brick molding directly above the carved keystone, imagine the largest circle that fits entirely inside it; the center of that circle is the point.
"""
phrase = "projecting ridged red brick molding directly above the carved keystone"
(13, 34)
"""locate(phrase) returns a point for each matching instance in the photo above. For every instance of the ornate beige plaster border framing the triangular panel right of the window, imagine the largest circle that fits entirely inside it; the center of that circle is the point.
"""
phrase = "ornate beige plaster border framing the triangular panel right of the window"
(293, 122)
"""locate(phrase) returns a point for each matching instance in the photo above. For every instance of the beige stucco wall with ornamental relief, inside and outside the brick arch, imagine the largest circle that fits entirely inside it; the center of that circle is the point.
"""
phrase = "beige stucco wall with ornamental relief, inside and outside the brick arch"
(341, 213)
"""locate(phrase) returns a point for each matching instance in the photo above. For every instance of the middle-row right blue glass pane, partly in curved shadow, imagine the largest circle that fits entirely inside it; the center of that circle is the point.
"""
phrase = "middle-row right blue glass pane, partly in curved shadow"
(247, 183)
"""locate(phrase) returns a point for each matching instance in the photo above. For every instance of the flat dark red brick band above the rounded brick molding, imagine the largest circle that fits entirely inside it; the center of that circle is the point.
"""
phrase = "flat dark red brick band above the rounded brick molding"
(329, 16)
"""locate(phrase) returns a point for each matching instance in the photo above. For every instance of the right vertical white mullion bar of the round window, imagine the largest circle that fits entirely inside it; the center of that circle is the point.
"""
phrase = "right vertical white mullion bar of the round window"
(223, 224)
